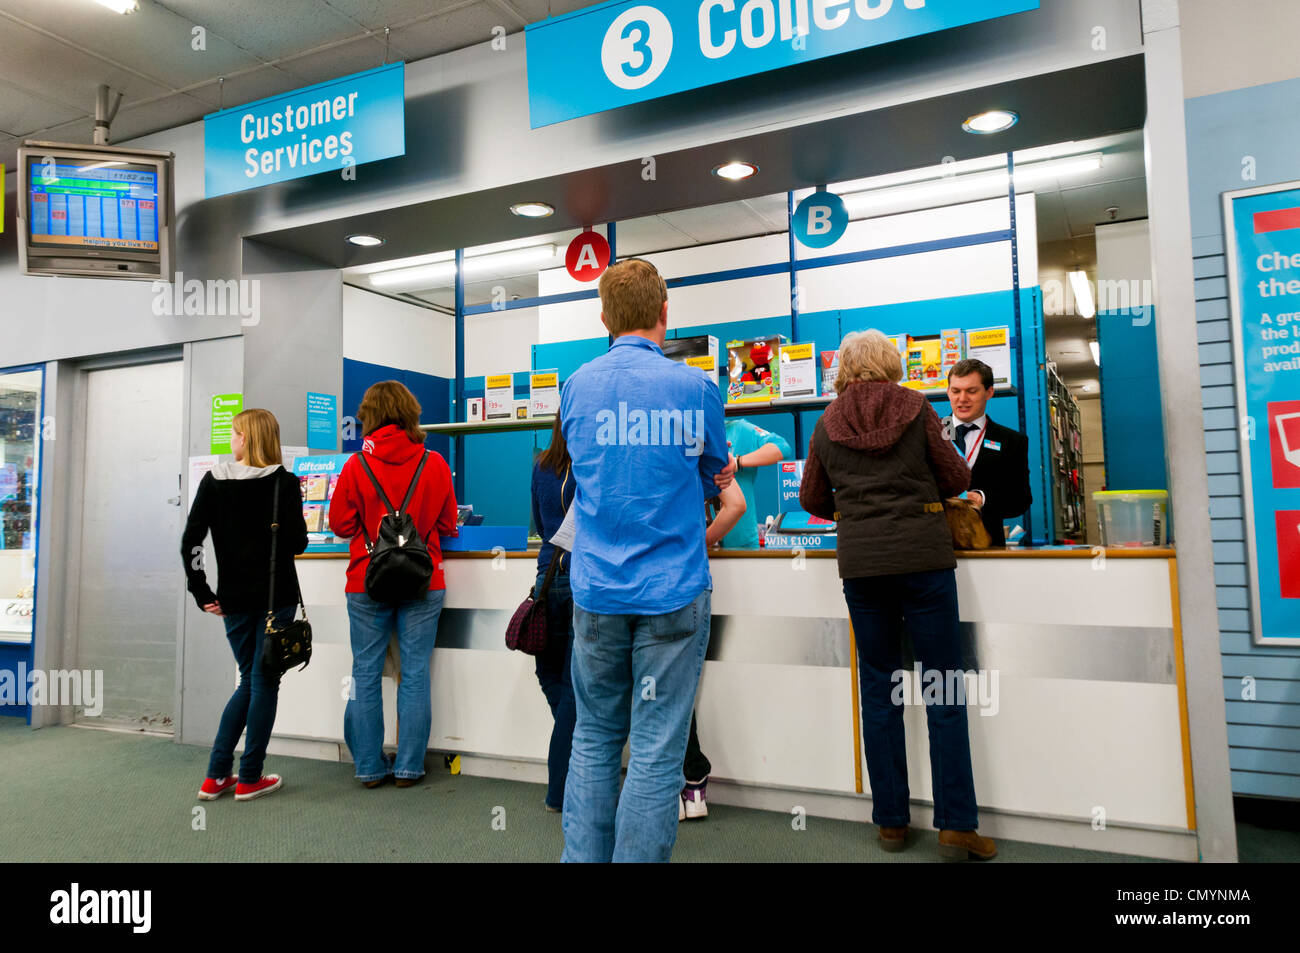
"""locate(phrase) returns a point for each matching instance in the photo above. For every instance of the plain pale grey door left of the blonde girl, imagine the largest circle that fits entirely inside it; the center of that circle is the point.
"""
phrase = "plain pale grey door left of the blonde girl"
(131, 577)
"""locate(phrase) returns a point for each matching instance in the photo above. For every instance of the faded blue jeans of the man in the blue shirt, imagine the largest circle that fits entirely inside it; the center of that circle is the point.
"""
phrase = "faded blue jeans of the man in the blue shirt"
(635, 681)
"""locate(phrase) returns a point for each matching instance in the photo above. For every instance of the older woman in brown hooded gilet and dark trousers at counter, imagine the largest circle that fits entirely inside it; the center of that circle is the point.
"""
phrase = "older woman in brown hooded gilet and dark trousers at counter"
(881, 466)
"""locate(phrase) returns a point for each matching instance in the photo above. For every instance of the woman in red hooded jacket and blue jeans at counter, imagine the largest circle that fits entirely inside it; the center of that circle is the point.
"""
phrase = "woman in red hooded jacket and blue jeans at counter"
(393, 445)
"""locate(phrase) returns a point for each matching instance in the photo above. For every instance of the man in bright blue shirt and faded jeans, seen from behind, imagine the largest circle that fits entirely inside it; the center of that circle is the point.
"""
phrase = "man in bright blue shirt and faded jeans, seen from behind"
(648, 444)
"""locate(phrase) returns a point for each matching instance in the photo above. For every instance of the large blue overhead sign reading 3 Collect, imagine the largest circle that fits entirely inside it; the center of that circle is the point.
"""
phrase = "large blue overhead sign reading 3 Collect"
(630, 51)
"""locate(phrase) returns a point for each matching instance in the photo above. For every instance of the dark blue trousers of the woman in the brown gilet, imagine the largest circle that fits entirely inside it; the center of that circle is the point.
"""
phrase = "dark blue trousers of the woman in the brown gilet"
(926, 603)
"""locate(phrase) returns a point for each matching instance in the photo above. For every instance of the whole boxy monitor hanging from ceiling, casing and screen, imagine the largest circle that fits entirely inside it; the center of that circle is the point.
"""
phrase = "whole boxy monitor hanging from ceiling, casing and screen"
(96, 211)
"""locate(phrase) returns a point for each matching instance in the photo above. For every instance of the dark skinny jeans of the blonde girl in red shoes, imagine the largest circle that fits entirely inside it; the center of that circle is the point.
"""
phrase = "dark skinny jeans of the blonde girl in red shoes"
(253, 707)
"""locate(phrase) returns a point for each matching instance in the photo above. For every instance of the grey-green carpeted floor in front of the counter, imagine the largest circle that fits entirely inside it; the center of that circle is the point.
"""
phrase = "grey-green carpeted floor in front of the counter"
(93, 796)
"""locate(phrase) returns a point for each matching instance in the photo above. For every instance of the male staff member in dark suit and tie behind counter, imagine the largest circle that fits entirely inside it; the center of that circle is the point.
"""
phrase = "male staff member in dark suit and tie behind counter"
(999, 457)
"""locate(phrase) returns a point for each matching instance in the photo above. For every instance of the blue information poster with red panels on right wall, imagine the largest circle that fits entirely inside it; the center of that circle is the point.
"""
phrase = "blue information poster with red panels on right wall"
(1263, 229)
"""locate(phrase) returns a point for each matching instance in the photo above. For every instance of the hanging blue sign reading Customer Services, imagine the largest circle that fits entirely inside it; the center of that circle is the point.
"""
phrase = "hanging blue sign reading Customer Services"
(323, 128)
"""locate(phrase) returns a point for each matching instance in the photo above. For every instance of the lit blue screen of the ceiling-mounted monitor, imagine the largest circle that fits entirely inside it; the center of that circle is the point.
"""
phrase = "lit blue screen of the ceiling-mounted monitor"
(92, 203)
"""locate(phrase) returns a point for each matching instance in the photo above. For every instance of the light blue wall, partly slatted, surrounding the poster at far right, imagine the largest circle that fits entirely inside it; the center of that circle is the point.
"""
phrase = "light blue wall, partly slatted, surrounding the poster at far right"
(1223, 131)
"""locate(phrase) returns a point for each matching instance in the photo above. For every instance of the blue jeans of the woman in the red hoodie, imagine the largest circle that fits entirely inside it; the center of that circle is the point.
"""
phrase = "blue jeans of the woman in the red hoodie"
(372, 626)
